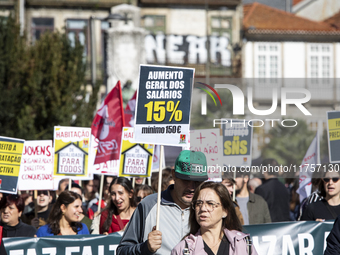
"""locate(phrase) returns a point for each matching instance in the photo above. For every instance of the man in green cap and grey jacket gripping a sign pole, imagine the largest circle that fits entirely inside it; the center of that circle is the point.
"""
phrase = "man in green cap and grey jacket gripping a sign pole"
(140, 236)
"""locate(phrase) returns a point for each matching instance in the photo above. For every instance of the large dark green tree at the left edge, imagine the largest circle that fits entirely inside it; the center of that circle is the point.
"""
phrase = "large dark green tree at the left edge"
(42, 86)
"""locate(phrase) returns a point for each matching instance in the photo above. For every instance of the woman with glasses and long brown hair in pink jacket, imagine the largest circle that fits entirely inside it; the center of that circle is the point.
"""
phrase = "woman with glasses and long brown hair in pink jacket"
(214, 226)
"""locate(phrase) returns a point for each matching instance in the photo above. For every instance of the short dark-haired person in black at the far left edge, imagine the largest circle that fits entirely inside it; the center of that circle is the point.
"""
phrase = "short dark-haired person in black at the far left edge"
(11, 207)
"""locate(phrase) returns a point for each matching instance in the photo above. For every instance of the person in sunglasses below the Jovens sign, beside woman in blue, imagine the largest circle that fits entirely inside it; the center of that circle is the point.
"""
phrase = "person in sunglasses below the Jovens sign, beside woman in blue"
(44, 200)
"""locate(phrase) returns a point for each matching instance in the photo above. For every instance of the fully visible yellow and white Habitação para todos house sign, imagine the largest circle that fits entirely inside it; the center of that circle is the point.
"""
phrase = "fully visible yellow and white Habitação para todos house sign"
(71, 156)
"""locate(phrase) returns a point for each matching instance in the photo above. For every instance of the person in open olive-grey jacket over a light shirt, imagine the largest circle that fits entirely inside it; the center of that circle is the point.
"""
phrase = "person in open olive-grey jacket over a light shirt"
(253, 207)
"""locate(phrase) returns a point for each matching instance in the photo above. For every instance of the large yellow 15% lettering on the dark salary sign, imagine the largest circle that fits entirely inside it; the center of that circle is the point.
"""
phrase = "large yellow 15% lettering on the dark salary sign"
(157, 111)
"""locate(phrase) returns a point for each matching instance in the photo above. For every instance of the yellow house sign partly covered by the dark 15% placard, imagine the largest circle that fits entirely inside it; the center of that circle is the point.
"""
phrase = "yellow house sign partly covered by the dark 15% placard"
(135, 158)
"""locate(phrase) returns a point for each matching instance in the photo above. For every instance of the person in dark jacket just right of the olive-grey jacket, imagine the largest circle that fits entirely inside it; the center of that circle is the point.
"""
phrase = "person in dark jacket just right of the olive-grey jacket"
(274, 192)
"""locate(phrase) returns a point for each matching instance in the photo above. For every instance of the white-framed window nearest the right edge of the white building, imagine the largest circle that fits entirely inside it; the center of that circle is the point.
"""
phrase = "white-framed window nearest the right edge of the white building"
(320, 61)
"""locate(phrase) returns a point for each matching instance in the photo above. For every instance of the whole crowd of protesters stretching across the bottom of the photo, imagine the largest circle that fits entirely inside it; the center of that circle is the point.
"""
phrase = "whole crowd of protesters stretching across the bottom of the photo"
(198, 216)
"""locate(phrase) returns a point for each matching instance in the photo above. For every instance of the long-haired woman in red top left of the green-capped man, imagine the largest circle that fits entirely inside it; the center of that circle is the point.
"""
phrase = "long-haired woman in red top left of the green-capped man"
(120, 207)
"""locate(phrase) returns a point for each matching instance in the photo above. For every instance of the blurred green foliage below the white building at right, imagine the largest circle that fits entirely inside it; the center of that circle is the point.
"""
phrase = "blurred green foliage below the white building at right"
(288, 145)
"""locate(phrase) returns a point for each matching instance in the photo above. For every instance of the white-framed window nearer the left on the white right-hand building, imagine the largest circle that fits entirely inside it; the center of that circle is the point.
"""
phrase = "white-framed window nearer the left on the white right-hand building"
(267, 60)
